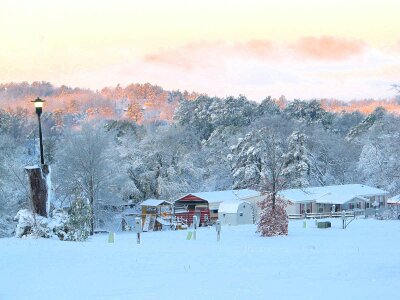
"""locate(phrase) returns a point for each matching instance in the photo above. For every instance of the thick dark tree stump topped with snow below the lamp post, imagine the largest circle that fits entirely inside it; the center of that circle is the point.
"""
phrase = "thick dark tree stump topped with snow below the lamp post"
(39, 194)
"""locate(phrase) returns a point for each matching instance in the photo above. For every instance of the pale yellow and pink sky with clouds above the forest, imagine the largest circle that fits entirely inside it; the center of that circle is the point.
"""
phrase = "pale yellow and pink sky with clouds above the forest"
(301, 49)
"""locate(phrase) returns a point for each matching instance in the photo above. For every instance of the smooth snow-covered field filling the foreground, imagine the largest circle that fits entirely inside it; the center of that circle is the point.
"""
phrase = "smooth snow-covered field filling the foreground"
(361, 262)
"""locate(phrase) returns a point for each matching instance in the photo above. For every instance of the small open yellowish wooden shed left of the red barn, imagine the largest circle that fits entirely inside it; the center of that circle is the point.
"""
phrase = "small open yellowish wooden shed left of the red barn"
(156, 214)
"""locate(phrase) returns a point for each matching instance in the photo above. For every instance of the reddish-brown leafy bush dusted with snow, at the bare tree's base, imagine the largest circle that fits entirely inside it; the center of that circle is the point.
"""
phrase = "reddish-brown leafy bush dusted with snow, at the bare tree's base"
(273, 218)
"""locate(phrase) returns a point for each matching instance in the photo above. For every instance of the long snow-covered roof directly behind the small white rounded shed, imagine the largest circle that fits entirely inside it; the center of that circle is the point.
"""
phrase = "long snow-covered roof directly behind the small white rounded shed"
(224, 196)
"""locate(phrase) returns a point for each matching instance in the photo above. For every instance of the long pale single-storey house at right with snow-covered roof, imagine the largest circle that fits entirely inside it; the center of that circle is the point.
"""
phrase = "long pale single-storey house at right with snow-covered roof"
(334, 198)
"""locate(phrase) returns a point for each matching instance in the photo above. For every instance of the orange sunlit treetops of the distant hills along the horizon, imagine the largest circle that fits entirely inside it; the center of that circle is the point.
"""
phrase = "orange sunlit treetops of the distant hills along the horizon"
(141, 102)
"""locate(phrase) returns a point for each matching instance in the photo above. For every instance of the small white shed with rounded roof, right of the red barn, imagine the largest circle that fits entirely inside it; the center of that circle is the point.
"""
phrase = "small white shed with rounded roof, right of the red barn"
(235, 213)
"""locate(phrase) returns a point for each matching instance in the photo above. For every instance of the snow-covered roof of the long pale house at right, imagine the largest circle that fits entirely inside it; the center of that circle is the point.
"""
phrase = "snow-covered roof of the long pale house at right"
(333, 194)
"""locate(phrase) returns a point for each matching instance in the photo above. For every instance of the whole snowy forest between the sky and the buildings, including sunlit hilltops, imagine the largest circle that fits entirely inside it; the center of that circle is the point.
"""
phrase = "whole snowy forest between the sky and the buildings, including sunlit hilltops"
(137, 142)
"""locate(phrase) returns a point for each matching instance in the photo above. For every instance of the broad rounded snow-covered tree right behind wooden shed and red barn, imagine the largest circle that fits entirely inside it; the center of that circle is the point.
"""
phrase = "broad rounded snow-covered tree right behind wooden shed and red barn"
(161, 165)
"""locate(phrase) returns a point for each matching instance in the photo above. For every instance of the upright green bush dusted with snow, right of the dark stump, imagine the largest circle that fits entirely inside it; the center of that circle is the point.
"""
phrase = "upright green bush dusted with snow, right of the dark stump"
(79, 223)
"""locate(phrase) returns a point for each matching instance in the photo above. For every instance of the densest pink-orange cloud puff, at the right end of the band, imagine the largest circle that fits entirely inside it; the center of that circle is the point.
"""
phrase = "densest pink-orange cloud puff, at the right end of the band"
(328, 48)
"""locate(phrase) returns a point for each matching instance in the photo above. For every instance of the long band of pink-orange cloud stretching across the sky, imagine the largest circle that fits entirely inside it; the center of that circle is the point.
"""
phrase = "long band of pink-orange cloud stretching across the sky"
(215, 54)
